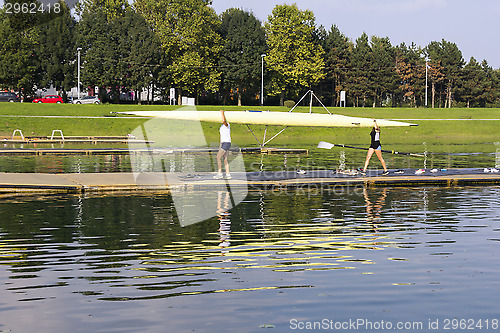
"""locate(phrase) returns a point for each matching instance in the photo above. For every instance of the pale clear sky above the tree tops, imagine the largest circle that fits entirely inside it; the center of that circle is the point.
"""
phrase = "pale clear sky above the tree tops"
(473, 25)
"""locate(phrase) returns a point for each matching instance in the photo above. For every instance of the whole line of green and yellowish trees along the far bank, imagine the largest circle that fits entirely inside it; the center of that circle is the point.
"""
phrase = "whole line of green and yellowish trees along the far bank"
(154, 45)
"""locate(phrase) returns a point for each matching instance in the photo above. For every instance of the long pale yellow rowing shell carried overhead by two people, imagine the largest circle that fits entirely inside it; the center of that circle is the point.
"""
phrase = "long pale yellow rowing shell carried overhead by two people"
(271, 118)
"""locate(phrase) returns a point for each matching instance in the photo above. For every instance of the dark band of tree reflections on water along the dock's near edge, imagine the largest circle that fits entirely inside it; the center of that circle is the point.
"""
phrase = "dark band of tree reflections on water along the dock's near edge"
(115, 222)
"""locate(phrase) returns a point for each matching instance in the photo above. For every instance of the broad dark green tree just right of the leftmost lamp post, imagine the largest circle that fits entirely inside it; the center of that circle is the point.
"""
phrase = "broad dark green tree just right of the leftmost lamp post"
(118, 53)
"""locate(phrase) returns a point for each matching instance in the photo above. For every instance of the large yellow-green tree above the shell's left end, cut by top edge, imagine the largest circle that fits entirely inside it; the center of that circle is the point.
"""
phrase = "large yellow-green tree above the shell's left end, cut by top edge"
(187, 30)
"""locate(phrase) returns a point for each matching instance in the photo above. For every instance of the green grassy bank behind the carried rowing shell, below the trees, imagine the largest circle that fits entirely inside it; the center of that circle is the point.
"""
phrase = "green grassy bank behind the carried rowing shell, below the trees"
(465, 125)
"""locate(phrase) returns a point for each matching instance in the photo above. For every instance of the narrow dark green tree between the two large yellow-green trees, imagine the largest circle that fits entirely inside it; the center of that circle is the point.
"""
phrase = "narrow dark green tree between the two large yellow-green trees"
(244, 43)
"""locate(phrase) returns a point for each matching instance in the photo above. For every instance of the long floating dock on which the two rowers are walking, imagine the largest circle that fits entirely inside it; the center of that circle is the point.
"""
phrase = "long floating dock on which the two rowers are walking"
(166, 182)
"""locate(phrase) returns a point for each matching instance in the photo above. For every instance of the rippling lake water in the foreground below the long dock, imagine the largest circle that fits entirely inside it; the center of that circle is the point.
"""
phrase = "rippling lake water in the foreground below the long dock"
(360, 259)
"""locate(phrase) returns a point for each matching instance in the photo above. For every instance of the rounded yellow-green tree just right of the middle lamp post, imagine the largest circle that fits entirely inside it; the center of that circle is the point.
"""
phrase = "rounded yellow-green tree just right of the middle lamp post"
(295, 55)
